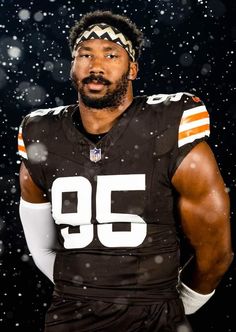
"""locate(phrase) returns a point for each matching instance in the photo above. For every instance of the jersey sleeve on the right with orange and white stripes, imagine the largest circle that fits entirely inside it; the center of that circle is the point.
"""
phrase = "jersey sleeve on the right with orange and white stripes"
(192, 127)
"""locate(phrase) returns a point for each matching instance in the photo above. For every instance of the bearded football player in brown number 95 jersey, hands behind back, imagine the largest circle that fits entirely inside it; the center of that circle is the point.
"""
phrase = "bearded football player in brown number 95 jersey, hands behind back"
(101, 181)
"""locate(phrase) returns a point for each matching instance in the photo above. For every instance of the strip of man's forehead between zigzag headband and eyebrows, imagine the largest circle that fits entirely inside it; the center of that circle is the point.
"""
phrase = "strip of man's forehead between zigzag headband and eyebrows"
(101, 44)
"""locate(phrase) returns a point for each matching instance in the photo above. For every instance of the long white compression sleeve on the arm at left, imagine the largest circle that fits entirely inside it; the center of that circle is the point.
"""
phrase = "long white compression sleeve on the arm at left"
(40, 234)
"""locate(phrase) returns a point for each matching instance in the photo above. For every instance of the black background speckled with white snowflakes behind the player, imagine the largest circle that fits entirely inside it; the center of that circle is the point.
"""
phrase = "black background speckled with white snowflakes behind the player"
(189, 46)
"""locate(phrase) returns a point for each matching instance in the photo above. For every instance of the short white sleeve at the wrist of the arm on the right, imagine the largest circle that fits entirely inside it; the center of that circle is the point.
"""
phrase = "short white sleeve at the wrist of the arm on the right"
(192, 300)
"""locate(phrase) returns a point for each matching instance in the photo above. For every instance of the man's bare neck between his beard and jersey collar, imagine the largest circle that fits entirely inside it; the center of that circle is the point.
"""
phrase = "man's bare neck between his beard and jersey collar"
(98, 121)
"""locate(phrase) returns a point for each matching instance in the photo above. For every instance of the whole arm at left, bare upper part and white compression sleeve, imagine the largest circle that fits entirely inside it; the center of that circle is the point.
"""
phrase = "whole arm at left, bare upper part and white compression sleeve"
(37, 222)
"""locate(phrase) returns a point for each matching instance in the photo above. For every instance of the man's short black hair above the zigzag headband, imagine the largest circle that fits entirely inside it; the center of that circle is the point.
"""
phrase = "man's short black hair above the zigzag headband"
(122, 23)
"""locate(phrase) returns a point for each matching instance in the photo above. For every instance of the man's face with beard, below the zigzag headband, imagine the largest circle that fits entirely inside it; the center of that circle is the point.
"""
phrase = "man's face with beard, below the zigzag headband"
(100, 72)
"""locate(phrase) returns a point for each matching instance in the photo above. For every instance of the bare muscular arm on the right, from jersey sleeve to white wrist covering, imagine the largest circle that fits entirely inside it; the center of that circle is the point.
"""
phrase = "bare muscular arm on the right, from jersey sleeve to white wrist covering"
(204, 212)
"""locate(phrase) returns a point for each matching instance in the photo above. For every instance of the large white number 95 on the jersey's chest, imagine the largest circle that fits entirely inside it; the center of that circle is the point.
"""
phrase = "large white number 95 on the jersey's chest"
(105, 185)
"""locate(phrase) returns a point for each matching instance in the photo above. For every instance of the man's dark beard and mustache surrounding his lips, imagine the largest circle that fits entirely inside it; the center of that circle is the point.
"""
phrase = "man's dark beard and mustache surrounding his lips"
(112, 98)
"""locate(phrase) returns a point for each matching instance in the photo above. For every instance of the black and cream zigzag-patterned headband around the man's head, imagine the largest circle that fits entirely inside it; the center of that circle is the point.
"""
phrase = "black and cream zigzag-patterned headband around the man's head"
(107, 32)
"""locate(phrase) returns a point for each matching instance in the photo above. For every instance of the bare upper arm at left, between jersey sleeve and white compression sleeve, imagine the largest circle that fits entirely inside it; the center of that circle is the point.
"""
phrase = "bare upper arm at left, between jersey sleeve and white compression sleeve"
(30, 192)
